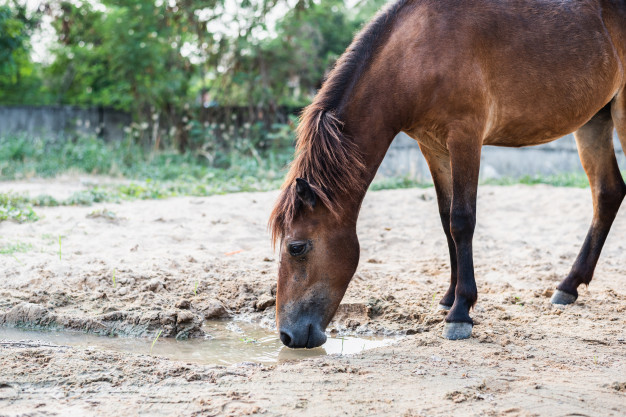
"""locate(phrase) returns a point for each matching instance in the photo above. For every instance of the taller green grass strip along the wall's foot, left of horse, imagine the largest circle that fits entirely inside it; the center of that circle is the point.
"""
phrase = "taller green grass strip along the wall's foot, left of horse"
(25, 157)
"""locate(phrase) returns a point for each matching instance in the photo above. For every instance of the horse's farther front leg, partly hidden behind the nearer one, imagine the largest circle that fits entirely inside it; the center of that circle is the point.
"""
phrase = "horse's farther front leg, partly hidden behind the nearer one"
(439, 164)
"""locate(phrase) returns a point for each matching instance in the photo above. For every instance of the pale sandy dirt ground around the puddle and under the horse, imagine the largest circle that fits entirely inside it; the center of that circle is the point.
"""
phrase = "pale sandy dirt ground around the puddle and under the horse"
(181, 260)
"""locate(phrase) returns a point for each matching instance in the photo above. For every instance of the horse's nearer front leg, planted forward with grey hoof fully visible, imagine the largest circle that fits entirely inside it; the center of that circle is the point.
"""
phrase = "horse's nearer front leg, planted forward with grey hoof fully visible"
(464, 164)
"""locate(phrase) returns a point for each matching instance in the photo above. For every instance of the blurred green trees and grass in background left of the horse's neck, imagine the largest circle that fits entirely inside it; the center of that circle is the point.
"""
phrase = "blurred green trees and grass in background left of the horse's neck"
(212, 87)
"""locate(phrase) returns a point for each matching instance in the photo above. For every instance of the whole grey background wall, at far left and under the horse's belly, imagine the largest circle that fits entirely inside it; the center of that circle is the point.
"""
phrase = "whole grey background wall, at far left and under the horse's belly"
(403, 159)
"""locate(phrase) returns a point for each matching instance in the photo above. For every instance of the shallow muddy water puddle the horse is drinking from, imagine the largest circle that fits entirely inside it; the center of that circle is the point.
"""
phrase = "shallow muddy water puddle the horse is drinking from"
(232, 342)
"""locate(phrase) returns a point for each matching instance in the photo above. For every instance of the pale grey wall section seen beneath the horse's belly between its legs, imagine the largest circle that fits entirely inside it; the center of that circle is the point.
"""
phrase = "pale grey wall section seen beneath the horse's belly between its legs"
(405, 159)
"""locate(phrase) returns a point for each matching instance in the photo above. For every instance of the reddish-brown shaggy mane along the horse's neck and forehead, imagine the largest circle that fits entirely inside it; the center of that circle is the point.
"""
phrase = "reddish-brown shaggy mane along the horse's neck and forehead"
(325, 157)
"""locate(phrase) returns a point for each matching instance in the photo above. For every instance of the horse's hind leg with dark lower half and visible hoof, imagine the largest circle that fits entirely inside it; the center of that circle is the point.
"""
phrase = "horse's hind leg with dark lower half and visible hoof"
(595, 147)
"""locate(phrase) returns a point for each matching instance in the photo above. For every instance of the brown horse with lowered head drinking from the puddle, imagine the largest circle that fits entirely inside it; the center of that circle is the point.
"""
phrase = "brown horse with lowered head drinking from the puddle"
(454, 75)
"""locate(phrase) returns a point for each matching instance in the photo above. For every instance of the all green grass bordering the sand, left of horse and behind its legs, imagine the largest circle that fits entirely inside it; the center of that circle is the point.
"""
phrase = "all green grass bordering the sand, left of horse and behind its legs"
(163, 174)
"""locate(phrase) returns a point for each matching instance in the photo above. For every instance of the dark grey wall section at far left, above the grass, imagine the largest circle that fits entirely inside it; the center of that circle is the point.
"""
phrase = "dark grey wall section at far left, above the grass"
(55, 120)
